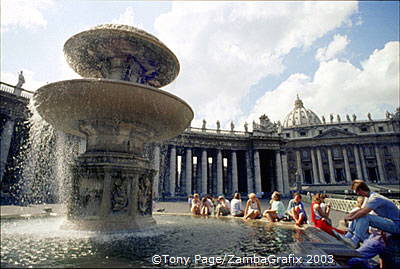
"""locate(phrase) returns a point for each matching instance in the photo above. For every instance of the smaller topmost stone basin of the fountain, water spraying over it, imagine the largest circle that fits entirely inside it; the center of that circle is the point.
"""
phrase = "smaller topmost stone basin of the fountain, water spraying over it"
(121, 52)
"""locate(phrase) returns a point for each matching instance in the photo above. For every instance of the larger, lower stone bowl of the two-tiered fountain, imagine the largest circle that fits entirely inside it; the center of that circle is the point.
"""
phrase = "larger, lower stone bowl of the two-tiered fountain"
(72, 104)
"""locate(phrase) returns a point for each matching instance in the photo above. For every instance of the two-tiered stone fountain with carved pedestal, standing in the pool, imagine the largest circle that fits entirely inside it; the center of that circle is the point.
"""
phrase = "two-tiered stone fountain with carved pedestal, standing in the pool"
(117, 108)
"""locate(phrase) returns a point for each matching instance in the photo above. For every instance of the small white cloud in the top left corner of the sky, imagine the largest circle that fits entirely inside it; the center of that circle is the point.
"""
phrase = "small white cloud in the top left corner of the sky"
(23, 13)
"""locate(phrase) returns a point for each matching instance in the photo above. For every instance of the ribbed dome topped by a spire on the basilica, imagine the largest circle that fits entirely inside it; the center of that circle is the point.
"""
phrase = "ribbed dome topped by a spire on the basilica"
(300, 116)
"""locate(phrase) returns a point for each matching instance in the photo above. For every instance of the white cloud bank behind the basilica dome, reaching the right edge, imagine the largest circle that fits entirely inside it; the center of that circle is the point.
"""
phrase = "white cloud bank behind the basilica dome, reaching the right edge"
(340, 88)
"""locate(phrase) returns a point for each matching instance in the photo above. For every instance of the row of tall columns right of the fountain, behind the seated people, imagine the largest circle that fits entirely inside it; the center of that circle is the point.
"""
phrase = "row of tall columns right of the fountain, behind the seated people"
(216, 171)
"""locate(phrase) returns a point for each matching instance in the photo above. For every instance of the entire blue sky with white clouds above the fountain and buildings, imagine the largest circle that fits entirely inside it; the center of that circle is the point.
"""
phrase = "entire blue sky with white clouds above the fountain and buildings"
(239, 60)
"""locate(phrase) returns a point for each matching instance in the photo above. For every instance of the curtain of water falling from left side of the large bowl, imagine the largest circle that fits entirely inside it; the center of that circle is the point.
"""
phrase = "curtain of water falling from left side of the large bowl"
(46, 161)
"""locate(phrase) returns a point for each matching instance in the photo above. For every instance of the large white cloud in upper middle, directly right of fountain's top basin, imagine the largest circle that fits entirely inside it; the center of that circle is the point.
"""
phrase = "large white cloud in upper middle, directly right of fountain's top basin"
(225, 48)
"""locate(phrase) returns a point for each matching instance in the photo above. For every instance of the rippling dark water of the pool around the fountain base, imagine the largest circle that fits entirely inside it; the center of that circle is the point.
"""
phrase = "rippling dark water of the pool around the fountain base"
(42, 243)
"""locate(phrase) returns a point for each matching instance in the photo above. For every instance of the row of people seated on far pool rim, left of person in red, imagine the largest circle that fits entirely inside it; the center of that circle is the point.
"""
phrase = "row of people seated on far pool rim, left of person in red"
(252, 210)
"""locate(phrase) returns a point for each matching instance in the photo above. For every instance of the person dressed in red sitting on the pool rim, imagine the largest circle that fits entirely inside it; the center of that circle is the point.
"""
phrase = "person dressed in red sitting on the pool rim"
(319, 217)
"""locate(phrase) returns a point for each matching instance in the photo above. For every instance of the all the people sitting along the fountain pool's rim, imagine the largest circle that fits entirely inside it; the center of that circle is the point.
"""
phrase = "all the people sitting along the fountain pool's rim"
(369, 224)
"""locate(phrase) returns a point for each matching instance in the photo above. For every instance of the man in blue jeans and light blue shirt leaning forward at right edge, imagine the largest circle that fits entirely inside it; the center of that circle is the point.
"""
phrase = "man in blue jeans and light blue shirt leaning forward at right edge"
(387, 216)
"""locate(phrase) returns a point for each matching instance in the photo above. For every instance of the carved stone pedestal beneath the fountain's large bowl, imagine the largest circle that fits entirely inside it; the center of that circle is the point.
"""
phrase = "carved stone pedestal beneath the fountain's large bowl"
(110, 191)
